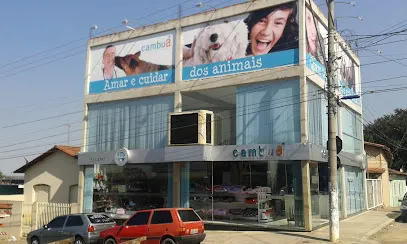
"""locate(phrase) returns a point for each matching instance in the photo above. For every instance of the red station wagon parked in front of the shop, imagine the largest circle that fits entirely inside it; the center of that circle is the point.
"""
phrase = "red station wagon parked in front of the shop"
(159, 226)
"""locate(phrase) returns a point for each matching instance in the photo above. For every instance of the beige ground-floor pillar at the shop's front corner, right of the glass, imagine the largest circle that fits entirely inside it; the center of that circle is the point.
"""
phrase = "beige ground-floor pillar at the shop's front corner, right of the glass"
(306, 192)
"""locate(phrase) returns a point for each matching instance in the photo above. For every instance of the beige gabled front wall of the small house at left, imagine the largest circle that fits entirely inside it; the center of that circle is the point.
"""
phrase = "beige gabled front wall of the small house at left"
(59, 171)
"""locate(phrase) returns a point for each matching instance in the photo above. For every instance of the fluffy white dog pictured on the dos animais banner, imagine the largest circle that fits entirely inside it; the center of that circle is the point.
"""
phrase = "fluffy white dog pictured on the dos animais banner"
(221, 42)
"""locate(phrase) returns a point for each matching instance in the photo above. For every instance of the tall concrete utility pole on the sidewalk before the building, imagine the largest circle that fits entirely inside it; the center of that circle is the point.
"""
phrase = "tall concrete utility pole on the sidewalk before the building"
(332, 159)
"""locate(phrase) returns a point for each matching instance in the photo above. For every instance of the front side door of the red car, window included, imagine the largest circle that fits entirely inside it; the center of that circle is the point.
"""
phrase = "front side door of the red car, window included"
(135, 227)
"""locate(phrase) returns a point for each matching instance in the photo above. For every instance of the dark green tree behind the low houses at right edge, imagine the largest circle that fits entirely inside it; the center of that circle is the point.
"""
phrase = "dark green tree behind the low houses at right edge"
(391, 131)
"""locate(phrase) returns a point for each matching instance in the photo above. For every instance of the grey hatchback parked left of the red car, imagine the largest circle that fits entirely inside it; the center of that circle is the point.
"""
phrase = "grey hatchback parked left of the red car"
(84, 228)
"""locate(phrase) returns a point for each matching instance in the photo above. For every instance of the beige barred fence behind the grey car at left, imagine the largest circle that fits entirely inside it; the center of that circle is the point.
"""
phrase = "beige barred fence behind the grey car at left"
(38, 214)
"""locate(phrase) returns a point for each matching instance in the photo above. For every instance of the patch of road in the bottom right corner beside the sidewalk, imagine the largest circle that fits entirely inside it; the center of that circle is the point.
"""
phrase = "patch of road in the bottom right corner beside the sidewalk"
(395, 233)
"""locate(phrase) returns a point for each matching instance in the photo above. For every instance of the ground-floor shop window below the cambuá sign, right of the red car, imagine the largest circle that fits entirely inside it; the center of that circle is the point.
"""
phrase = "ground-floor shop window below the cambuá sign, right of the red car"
(266, 194)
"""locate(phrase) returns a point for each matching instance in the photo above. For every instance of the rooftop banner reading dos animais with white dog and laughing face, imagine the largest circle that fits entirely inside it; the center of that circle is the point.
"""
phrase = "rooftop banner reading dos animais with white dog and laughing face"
(262, 39)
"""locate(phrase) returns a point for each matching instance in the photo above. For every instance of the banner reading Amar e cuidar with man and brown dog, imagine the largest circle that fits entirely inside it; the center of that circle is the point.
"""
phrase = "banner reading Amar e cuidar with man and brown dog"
(135, 63)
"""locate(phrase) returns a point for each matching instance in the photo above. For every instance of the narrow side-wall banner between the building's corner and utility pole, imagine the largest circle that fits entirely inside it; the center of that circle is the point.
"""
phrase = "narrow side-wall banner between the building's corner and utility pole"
(317, 44)
